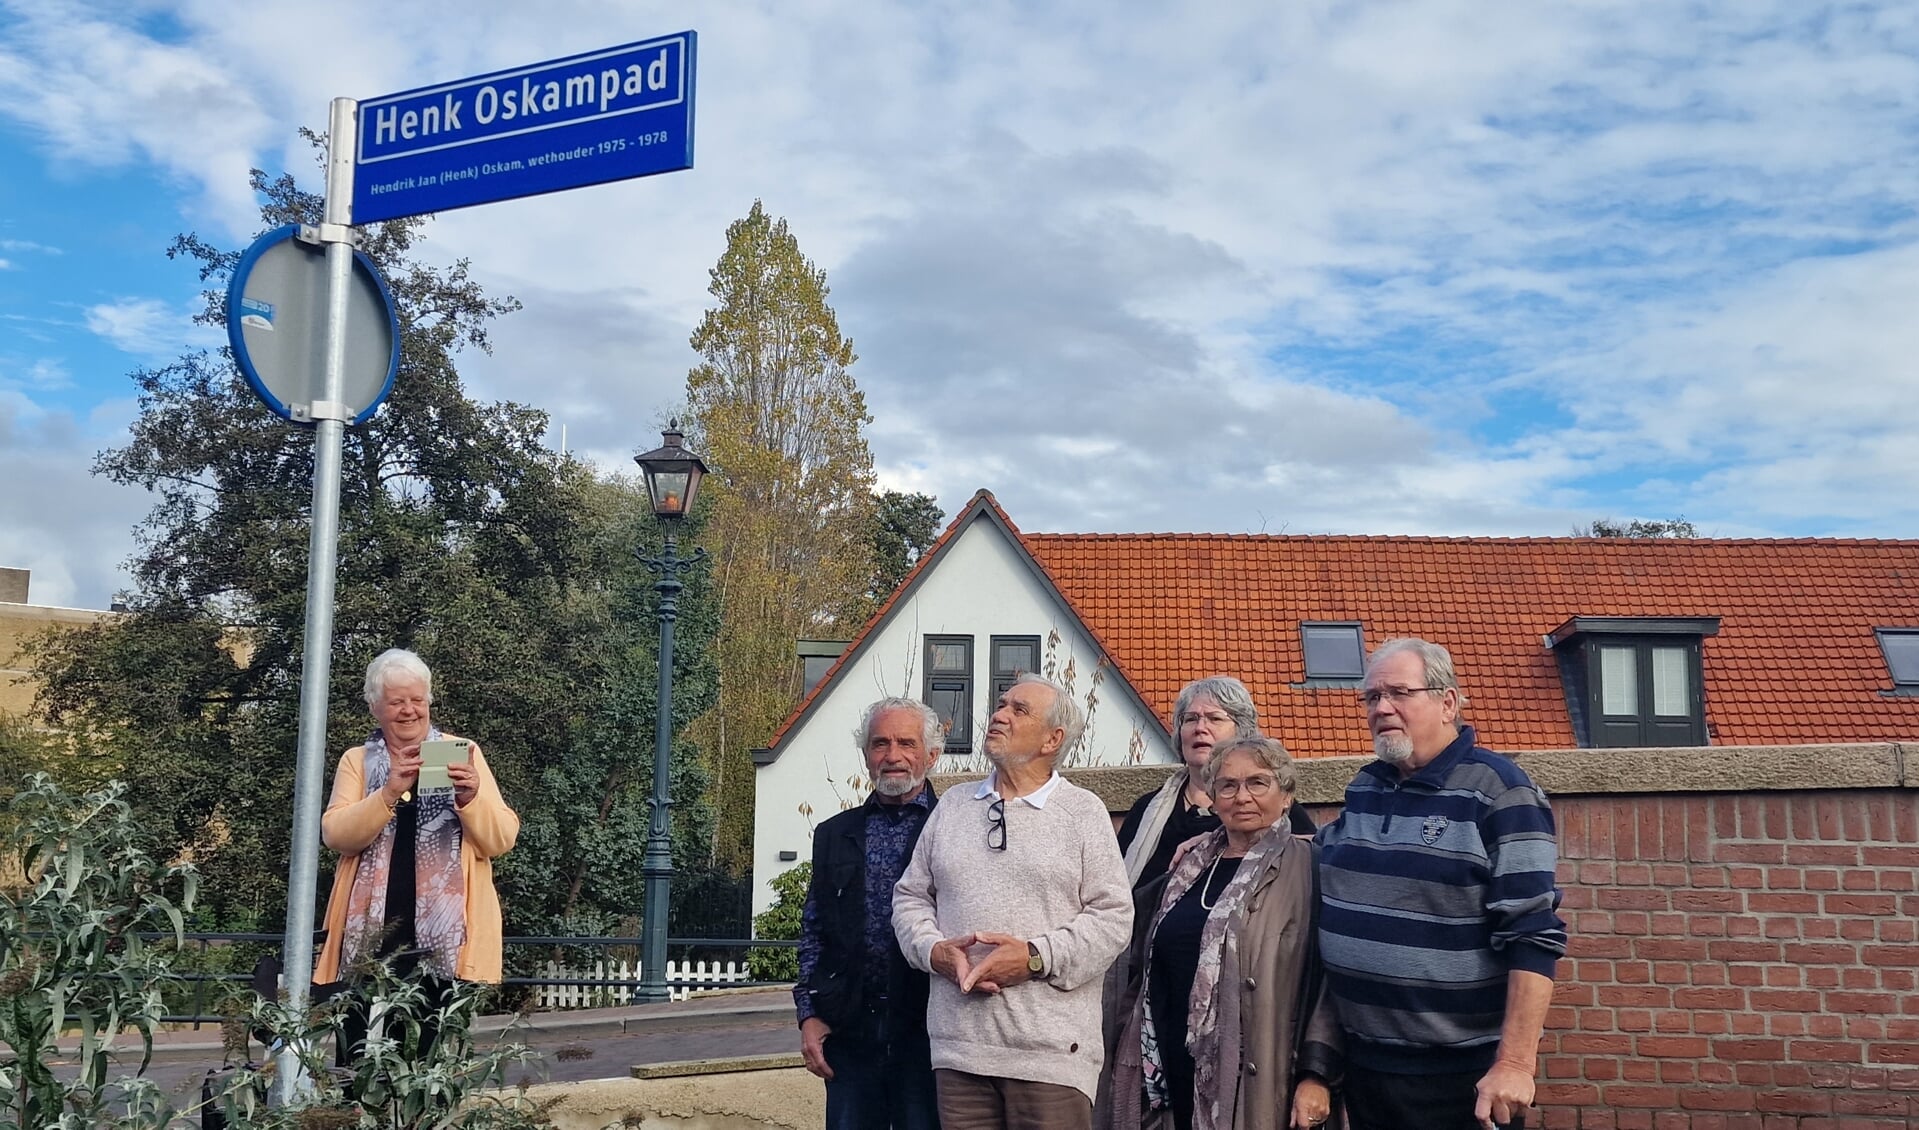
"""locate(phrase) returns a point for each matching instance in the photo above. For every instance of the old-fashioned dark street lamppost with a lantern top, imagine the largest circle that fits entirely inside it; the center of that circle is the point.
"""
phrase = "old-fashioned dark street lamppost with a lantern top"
(673, 479)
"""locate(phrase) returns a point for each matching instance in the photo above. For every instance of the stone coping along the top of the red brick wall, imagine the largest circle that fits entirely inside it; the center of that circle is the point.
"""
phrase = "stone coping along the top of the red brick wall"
(1592, 772)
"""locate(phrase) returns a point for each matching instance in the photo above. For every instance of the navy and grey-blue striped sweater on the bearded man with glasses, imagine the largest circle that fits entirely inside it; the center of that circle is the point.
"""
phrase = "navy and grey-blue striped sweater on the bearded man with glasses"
(1434, 889)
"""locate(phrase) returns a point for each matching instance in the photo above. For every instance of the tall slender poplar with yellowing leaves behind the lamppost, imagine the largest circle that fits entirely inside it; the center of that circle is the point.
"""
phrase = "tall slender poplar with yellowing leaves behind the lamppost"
(782, 423)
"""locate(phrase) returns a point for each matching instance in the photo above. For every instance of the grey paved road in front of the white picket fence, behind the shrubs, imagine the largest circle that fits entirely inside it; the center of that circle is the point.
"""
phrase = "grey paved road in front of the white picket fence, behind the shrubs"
(596, 1043)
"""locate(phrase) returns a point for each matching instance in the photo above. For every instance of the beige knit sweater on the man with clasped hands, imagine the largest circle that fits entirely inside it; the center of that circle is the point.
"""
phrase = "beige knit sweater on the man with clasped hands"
(1062, 885)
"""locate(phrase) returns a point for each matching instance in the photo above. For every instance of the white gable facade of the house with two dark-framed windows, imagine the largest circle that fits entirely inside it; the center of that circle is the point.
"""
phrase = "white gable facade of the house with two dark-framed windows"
(974, 617)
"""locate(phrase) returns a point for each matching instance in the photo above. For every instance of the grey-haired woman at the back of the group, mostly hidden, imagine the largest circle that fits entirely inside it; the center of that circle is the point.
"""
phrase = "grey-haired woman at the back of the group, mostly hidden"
(1206, 715)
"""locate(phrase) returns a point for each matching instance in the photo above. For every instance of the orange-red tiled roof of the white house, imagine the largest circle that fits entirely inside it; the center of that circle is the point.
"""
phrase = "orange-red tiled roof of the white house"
(1795, 659)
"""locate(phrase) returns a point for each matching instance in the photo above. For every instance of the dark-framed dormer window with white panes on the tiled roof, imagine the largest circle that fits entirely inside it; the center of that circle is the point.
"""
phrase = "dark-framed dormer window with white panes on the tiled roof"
(1634, 682)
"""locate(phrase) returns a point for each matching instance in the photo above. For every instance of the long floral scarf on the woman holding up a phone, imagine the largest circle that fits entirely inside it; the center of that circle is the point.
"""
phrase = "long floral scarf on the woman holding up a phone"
(440, 889)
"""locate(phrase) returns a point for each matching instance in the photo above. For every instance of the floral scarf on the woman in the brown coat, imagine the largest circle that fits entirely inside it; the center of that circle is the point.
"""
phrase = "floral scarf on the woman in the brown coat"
(1202, 1016)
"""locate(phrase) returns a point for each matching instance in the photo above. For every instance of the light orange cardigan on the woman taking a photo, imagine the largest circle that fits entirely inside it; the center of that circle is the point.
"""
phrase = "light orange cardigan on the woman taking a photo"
(488, 830)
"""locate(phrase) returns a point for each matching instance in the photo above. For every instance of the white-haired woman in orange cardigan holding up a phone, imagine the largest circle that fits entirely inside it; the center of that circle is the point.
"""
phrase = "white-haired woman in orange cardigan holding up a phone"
(415, 882)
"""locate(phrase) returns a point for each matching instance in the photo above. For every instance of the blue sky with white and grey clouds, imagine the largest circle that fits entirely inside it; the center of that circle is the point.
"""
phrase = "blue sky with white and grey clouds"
(1308, 266)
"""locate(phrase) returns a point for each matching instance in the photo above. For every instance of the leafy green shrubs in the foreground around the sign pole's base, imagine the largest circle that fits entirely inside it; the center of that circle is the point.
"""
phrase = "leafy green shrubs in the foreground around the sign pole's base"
(74, 970)
